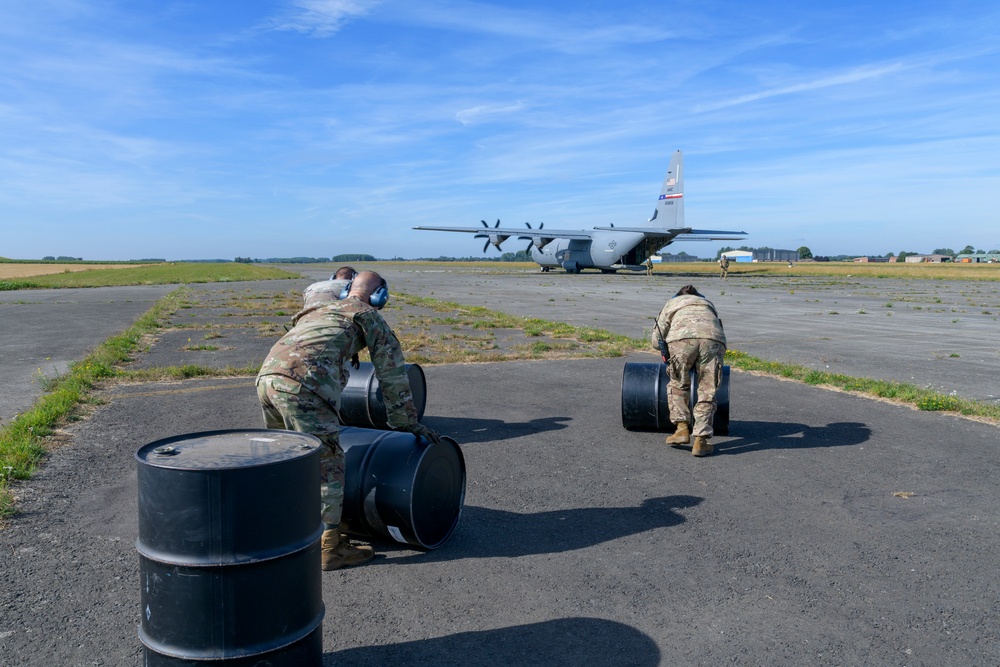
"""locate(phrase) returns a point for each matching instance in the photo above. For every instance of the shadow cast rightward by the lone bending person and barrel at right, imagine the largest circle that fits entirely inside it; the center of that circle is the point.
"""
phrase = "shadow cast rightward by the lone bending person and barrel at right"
(758, 436)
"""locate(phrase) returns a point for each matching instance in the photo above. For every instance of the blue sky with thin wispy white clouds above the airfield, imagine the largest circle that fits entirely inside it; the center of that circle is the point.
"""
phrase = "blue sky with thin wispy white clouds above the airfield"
(276, 128)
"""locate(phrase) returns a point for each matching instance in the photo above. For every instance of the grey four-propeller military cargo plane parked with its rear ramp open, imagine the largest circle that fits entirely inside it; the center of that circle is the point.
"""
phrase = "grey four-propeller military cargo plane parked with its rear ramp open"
(606, 248)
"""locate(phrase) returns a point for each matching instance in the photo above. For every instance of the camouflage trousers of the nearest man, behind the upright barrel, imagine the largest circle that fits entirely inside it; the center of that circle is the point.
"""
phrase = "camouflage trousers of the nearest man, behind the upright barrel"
(288, 405)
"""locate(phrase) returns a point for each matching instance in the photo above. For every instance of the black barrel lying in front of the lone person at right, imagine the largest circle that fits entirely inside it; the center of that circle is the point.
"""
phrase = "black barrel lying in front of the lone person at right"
(644, 399)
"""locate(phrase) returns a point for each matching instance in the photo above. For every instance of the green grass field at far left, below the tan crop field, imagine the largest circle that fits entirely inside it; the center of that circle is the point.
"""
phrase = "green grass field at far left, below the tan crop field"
(157, 274)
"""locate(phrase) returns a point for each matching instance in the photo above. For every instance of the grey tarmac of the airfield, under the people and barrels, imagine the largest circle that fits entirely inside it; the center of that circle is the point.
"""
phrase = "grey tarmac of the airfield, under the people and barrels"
(827, 529)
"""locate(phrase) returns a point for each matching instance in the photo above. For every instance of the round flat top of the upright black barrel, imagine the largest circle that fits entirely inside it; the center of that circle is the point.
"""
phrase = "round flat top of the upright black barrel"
(239, 448)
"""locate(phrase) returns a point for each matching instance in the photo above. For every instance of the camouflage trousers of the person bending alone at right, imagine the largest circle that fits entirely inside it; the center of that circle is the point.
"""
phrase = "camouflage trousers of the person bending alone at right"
(705, 356)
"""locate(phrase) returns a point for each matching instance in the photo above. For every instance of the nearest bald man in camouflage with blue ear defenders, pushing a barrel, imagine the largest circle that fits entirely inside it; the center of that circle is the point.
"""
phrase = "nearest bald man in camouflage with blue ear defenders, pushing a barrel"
(301, 381)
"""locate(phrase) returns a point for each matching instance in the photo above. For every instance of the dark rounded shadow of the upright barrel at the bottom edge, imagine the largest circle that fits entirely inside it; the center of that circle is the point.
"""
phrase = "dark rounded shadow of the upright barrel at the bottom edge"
(565, 642)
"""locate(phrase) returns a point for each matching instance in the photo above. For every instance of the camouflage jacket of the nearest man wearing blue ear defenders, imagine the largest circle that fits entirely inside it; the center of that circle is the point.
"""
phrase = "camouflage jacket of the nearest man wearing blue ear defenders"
(319, 346)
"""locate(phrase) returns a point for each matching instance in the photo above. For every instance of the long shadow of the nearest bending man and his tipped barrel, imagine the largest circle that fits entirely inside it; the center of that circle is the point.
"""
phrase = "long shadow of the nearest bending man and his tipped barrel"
(486, 533)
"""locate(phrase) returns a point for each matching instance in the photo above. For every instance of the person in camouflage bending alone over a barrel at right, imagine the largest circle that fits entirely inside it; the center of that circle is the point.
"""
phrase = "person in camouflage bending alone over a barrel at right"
(692, 330)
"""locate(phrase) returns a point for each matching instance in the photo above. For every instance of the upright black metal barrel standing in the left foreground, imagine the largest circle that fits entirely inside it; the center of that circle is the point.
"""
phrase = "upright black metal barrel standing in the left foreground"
(229, 549)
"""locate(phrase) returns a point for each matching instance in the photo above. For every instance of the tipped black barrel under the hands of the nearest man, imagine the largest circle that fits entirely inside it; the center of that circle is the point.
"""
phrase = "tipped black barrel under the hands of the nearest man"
(402, 487)
